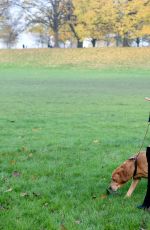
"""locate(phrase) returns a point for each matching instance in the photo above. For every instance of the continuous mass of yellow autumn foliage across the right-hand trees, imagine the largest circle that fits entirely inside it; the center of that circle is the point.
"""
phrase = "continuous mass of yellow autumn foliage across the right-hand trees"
(98, 18)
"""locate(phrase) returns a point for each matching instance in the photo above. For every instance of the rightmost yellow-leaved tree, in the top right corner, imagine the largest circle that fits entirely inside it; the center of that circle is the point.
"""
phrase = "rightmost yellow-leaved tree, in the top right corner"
(132, 17)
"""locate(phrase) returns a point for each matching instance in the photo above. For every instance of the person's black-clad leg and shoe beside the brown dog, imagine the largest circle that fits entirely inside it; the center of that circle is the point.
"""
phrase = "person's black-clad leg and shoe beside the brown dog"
(146, 203)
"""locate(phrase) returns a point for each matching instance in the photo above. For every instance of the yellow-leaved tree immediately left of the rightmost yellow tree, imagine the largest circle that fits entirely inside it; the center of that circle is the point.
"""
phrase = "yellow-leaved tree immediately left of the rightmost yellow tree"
(95, 19)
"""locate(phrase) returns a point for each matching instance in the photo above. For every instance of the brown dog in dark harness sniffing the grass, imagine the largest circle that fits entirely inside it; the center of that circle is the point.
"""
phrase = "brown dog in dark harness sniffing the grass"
(136, 167)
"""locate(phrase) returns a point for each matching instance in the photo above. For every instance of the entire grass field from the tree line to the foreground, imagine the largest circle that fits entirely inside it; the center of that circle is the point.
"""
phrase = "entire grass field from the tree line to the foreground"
(63, 130)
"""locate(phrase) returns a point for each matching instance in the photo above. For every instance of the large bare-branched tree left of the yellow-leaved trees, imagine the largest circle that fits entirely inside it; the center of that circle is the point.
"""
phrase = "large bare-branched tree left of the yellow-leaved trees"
(49, 13)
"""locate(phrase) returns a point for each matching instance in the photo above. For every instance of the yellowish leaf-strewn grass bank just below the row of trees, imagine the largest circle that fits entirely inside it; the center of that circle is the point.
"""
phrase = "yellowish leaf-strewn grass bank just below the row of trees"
(91, 58)
